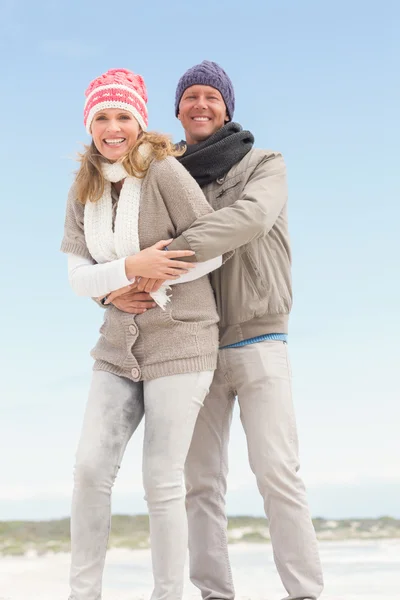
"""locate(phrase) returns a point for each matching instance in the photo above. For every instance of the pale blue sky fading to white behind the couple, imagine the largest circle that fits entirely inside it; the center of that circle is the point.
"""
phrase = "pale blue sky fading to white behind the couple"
(316, 80)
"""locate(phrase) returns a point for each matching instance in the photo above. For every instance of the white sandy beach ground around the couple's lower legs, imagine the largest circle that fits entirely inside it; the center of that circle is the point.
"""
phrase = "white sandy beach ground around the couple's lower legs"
(354, 570)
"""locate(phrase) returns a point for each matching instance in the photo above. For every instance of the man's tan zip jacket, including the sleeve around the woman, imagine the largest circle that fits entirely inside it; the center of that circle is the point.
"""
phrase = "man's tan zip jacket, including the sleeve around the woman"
(253, 288)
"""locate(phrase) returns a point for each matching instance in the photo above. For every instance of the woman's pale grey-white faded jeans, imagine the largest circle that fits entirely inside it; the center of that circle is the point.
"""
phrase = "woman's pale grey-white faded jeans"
(114, 410)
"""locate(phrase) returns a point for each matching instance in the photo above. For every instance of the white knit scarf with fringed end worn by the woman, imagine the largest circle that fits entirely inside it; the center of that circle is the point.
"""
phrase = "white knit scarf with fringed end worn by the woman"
(106, 244)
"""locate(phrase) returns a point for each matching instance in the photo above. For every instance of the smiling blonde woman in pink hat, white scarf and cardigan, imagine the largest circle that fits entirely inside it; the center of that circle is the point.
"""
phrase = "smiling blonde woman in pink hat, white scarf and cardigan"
(130, 193)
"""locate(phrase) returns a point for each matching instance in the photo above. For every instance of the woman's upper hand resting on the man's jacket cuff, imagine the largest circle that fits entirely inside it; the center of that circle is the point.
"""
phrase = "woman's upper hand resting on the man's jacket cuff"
(156, 263)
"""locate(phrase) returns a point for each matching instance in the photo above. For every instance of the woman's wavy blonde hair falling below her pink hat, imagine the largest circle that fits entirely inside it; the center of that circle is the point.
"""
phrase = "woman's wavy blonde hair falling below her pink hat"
(89, 178)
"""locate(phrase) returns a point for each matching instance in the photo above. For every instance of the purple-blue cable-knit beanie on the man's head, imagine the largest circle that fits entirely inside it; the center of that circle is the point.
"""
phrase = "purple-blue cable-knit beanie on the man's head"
(207, 73)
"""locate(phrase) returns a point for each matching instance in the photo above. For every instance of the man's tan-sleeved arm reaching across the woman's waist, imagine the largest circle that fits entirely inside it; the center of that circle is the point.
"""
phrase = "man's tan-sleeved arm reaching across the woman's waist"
(251, 216)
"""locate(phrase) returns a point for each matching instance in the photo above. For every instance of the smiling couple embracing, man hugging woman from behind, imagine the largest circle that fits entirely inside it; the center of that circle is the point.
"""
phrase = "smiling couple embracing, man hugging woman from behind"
(186, 246)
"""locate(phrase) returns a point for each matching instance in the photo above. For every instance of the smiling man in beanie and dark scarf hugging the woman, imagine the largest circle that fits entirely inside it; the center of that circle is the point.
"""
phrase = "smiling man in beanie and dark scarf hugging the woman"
(247, 189)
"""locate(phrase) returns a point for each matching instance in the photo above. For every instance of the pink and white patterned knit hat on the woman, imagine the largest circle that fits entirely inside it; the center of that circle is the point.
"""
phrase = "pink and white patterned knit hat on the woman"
(118, 88)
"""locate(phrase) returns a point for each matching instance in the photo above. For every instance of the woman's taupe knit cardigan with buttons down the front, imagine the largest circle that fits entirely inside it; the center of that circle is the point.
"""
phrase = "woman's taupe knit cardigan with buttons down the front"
(184, 337)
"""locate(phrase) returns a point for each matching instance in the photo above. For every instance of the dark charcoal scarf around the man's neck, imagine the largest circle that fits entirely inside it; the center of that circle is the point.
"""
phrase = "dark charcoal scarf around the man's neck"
(211, 159)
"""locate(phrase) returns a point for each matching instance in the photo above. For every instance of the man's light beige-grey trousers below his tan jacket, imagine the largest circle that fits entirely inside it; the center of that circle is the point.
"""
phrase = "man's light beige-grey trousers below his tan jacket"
(259, 375)
